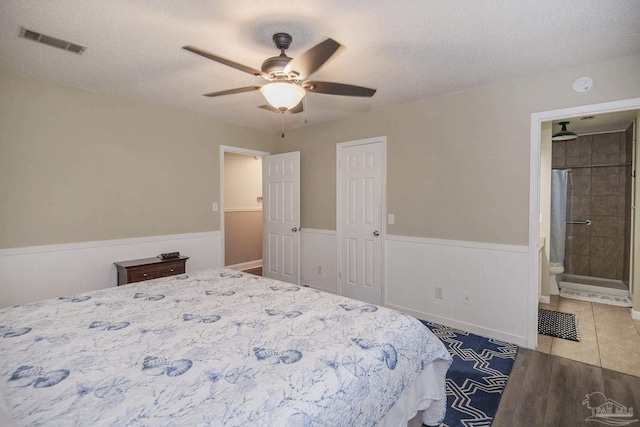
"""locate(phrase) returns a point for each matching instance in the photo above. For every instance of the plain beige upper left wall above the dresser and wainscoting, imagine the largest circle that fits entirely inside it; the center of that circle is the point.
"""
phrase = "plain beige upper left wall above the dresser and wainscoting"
(77, 165)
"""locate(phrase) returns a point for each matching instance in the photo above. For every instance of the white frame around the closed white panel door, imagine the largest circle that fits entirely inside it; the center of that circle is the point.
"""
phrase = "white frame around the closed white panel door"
(383, 197)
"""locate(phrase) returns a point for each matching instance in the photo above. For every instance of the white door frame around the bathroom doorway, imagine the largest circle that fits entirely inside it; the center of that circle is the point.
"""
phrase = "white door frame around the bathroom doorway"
(534, 196)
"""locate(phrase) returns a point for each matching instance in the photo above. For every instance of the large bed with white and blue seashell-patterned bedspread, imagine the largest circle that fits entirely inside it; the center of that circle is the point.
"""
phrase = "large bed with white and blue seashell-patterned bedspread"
(217, 347)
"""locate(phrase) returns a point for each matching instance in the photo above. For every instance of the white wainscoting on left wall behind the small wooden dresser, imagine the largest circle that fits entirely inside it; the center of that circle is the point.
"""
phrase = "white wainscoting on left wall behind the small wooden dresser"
(40, 272)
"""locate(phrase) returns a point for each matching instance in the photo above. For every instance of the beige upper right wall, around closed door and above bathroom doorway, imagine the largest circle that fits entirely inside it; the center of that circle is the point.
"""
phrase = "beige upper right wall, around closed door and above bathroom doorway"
(458, 165)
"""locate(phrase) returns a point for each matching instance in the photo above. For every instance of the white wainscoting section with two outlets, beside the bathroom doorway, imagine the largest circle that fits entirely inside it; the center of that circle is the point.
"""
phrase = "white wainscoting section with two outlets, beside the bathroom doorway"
(494, 276)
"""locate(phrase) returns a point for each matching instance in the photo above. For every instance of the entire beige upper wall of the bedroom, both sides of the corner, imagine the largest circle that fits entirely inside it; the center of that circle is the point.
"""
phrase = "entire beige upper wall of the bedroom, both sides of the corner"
(74, 164)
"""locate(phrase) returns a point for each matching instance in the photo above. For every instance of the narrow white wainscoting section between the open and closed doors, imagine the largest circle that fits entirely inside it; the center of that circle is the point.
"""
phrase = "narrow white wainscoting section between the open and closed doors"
(318, 252)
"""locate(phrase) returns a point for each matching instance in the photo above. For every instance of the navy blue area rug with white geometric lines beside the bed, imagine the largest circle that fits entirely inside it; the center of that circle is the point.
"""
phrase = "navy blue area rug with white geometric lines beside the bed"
(477, 377)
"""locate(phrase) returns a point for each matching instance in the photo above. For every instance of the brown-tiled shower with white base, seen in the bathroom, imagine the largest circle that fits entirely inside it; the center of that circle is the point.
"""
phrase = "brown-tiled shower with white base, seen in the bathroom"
(598, 200)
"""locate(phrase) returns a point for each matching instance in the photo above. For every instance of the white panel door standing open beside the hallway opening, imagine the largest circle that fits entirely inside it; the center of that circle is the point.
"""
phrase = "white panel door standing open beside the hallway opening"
(281, 217)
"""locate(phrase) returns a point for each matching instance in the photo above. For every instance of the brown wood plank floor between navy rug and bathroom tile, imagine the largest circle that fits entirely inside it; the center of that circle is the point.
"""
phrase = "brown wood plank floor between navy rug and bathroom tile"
(547, 390)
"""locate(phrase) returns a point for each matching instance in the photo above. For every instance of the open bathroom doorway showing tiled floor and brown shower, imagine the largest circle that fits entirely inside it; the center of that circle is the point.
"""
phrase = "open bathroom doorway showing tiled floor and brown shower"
(586, 199)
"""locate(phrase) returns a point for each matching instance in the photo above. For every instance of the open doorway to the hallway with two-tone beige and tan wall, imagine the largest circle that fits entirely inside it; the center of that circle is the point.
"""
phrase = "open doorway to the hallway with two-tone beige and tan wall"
(241, 208)
